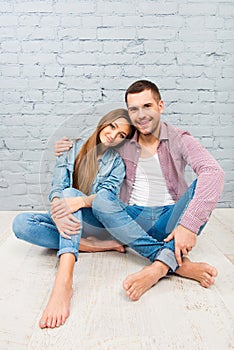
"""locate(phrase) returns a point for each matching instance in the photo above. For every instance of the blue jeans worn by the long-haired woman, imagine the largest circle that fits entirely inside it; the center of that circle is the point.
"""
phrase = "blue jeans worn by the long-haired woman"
(40, 229)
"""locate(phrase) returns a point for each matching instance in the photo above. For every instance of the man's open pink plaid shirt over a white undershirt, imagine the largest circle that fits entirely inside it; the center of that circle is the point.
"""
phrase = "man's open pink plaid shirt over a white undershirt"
(177, 148)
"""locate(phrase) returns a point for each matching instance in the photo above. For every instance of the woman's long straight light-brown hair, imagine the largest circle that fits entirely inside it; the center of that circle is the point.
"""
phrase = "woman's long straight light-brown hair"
(86, 163)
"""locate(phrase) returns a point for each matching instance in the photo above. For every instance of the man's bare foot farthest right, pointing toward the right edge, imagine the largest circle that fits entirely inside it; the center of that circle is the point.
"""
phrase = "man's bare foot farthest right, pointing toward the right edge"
(201, 272)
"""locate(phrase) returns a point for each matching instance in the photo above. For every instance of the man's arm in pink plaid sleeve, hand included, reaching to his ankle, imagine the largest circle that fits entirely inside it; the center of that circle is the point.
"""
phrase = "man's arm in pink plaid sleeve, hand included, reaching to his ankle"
(210, 180)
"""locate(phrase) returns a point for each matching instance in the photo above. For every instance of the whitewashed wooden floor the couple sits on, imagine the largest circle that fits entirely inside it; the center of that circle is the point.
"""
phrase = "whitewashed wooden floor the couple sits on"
(175, 314)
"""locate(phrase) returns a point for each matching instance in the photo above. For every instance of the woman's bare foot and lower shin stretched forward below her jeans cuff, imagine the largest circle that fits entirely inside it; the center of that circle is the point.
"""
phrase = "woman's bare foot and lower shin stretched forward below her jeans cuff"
(58, 307)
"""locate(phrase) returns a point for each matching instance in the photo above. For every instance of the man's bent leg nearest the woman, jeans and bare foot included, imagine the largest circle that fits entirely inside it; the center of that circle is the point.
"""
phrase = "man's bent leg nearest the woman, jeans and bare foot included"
(120, 221)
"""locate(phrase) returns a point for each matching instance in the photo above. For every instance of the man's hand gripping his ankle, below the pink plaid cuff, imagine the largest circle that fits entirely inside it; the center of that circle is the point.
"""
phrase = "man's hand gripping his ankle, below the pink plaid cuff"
(184, 239)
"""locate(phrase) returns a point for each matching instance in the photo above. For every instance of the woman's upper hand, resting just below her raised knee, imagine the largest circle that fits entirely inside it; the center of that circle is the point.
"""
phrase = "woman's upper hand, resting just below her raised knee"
(65, 206)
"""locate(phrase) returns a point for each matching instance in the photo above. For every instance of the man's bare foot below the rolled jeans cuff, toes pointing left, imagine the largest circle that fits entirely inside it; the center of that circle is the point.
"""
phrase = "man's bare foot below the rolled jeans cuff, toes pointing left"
(138, 283)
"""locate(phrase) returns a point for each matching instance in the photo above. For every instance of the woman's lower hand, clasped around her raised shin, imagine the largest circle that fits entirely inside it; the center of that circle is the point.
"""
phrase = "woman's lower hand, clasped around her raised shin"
(67, 226)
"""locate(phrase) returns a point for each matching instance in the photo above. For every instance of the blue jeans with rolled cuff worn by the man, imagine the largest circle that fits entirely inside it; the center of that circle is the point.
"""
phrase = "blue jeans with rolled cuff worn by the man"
(143, 228)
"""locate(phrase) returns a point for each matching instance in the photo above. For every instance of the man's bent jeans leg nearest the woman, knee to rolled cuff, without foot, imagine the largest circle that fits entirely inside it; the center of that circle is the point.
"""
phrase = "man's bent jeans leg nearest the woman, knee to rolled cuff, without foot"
(113, 214)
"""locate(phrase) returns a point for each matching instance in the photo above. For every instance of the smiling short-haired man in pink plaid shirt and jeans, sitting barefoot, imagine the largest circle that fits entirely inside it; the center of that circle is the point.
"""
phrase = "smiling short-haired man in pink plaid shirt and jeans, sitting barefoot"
(158, 216)
